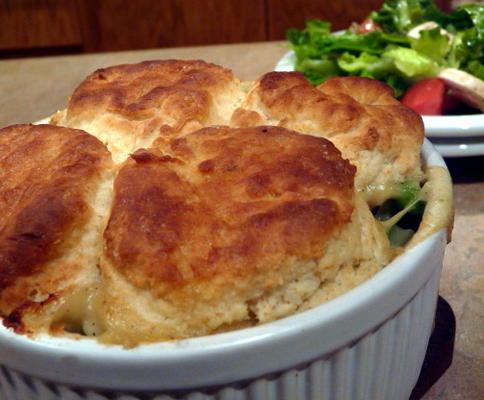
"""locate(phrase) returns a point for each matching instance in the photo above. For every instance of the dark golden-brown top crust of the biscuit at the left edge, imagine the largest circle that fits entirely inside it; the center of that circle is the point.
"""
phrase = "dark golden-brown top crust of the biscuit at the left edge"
(43, 175)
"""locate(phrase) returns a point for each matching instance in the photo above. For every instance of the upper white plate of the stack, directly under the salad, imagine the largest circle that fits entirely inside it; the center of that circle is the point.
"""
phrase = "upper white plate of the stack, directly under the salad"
(447, 126)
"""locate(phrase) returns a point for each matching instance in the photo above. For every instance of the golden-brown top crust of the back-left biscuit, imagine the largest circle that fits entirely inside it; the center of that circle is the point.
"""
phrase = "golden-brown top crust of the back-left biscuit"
(138, 91)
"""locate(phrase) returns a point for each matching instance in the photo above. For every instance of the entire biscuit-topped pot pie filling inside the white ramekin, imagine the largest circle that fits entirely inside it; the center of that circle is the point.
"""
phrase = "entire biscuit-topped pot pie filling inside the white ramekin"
(171, 200)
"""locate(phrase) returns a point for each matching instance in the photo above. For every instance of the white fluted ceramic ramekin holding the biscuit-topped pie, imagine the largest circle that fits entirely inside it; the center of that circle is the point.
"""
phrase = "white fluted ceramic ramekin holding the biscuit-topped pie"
(367, 344)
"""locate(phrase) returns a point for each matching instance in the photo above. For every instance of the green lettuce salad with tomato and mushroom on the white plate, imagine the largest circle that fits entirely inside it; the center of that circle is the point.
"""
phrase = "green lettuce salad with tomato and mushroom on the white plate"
(434, 61)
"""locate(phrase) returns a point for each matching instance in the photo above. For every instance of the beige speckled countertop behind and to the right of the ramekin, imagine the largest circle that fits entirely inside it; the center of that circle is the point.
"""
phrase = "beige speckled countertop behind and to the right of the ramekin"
(35, 88)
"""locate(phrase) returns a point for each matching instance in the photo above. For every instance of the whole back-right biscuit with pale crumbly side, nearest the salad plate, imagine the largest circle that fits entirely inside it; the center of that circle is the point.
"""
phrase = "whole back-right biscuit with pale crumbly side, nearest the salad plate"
(373, 130)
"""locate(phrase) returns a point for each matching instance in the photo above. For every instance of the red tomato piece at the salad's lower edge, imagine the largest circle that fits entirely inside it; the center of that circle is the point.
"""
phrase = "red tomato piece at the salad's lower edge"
(426, 96)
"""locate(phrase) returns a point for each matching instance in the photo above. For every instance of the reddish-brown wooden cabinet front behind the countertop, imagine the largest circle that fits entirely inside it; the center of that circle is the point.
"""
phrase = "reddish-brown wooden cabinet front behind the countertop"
(53, 27)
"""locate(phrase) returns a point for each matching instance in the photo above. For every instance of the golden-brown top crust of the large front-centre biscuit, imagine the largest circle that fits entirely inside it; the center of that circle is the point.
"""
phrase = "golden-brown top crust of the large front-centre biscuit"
(226, 204)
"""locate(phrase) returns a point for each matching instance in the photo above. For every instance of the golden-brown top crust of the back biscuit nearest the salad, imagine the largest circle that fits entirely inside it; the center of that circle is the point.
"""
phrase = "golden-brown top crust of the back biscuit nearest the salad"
(337, 106)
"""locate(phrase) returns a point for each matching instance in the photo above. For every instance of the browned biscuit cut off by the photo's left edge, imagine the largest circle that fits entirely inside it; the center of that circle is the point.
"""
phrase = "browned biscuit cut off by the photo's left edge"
(52, 207)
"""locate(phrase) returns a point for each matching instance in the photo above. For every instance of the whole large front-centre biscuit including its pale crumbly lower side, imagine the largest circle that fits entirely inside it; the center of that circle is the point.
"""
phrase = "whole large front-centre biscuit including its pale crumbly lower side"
(230, 226)
